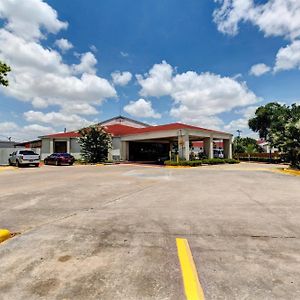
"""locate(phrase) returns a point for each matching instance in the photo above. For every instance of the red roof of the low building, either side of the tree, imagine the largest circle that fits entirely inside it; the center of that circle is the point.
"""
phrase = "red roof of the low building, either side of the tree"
(121, 130)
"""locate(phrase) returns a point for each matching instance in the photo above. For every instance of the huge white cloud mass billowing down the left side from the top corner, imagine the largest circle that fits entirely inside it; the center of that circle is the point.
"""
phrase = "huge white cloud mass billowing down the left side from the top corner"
(39, 74)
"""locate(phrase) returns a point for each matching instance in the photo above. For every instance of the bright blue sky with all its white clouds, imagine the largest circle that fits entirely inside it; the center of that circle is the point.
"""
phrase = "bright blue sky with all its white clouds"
(194, 61)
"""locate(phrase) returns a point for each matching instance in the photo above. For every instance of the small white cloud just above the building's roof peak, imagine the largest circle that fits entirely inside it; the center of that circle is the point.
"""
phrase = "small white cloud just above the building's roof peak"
(141, 109)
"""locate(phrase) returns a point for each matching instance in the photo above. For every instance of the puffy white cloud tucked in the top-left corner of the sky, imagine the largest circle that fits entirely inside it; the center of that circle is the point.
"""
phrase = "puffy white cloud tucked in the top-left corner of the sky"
(27, 19)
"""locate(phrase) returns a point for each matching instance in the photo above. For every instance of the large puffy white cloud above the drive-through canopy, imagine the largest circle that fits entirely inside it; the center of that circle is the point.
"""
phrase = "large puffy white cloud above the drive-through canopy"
(197, 98)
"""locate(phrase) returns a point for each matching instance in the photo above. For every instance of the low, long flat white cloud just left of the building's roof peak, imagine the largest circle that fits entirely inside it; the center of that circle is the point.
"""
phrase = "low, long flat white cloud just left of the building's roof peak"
(71, 121)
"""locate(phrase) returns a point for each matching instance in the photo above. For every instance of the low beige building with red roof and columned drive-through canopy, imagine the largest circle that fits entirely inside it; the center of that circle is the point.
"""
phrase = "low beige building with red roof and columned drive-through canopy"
(136, 141)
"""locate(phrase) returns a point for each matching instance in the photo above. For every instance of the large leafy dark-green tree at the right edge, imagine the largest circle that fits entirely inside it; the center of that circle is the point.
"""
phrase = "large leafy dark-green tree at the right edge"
(280, 126)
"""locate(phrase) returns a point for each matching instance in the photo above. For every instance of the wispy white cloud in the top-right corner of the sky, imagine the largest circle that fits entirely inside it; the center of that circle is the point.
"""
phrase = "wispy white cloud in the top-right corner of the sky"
(274, 18)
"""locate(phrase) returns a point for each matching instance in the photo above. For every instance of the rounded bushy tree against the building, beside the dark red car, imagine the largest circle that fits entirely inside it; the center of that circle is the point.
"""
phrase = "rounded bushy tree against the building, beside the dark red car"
(95, 143)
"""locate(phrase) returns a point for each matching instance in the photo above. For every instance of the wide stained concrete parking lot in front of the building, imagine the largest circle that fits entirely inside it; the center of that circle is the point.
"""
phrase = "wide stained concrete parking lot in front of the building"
(109, 232)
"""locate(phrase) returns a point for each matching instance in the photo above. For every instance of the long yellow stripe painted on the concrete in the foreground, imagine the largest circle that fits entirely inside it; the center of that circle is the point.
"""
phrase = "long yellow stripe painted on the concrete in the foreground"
(192, 286)
